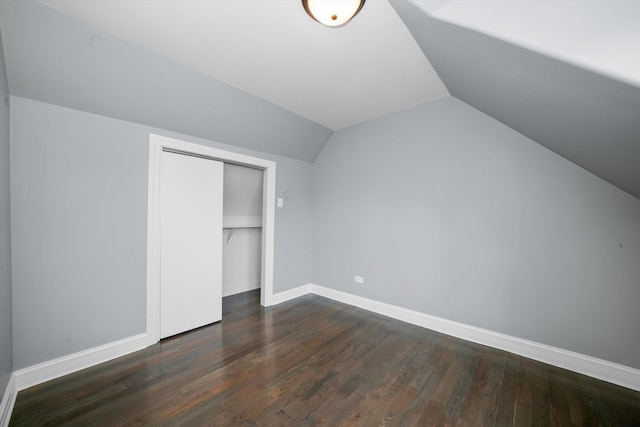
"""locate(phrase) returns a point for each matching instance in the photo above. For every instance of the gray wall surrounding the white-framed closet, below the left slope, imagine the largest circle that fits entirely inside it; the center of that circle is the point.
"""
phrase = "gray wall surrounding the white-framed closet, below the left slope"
(79, 203)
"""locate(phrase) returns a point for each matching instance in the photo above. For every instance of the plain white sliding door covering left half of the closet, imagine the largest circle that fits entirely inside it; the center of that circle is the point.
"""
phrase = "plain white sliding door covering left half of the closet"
(190, 243)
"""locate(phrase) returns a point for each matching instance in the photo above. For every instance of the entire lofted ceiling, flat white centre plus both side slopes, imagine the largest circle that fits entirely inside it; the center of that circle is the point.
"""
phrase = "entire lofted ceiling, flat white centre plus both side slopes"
(260, 74)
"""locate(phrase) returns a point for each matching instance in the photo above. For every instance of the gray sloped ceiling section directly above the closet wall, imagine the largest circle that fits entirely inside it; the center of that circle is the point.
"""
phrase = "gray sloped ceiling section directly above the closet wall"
(53, 58)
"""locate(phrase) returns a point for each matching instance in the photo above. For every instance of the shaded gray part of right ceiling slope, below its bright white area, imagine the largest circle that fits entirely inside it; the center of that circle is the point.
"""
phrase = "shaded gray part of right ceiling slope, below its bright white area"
(585, 116)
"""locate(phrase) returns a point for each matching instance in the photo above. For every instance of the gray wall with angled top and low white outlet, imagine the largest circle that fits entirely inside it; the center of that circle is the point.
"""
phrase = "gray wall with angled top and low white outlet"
(448, 212)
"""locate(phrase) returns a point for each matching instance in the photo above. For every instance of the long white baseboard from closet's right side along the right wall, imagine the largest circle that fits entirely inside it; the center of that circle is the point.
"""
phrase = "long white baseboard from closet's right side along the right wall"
(587, 365)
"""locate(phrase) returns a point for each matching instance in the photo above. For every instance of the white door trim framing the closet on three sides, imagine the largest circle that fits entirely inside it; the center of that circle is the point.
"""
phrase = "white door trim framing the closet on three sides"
(156, 144)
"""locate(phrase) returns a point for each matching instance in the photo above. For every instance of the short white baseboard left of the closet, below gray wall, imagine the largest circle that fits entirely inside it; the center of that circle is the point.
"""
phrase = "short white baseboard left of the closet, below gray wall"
(42, 372)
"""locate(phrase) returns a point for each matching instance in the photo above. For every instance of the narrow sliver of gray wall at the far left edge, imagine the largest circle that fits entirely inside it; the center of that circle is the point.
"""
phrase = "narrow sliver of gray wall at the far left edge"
(6, 344)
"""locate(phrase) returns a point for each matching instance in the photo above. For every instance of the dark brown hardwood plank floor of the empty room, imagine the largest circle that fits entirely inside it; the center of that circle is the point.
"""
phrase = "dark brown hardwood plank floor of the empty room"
(313, 361)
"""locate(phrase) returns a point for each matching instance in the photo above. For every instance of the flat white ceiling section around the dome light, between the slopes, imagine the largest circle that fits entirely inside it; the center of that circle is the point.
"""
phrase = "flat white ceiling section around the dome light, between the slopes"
(336, 77)
